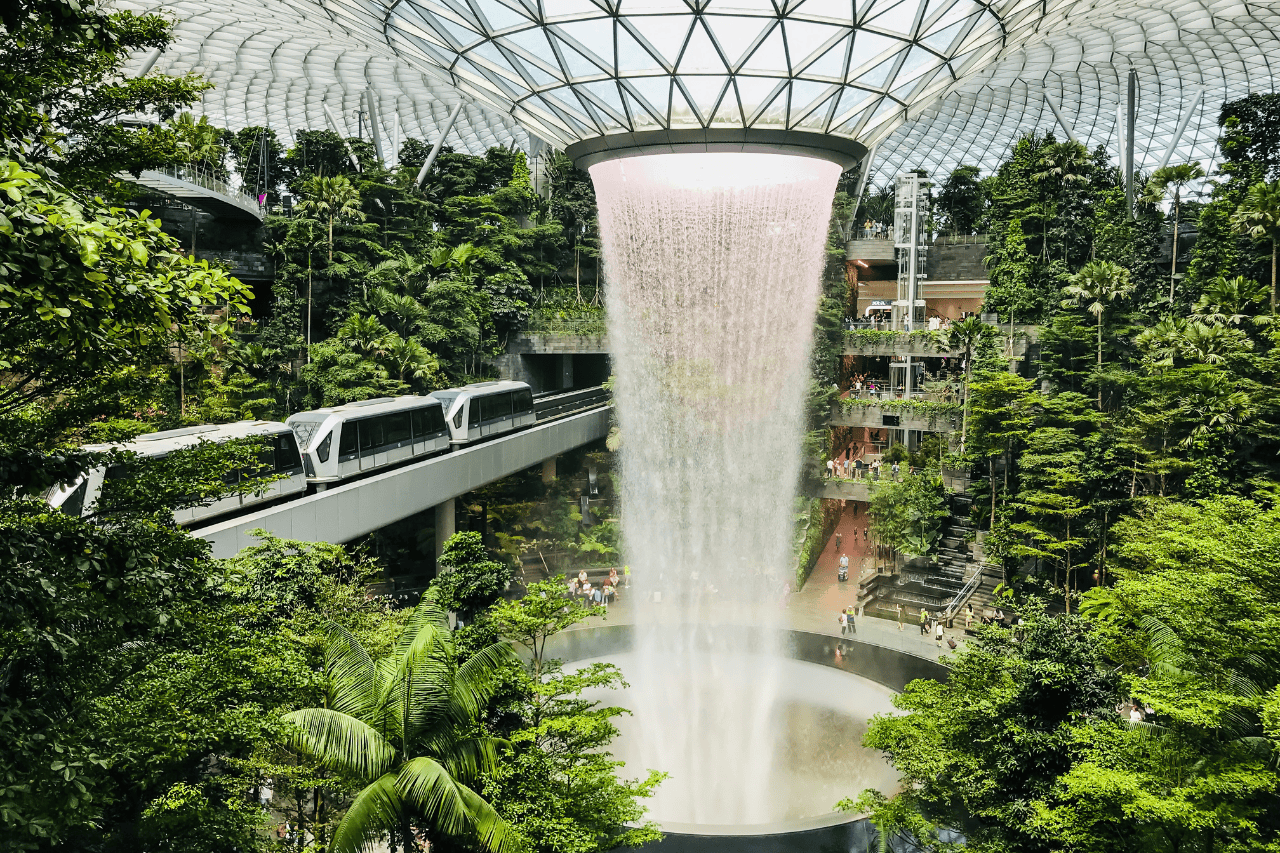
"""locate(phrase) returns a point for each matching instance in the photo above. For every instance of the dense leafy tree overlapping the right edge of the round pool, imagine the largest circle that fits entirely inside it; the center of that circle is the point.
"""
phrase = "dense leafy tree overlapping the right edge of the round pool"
(988, 751)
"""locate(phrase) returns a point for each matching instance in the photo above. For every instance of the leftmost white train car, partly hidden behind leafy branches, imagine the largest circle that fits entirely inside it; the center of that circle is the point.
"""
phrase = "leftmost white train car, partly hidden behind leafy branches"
(281, 458)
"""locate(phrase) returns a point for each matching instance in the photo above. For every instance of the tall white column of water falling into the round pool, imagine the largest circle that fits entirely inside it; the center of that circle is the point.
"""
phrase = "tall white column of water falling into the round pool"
(715, 264)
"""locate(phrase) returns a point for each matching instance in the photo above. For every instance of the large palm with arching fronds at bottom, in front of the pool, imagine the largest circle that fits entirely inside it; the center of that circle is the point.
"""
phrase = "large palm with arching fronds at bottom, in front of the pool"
(403, 726)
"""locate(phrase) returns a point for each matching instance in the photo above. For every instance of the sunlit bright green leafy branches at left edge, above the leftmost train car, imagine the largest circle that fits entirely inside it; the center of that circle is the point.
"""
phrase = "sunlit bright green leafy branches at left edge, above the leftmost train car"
(92, 295)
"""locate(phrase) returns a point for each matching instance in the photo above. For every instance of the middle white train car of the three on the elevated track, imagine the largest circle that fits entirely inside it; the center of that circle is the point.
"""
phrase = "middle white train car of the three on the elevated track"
(344, 441)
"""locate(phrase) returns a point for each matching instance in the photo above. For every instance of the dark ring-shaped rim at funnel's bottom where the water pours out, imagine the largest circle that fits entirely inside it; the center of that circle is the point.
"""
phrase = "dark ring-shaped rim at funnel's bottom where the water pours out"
(843, 152)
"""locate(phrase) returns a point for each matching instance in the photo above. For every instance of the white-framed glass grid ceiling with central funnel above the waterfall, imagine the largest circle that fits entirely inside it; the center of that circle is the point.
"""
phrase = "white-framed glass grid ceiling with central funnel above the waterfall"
(934, 84)
